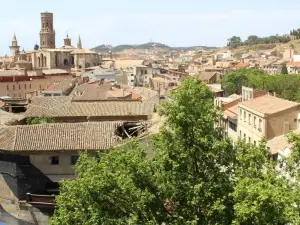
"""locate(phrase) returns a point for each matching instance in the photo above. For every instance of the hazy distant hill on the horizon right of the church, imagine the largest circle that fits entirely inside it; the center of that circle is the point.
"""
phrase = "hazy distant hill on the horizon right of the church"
(149, 46)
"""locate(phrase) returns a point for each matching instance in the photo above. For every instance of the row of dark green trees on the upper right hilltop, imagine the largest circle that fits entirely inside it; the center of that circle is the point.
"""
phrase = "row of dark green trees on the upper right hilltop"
(255, 40)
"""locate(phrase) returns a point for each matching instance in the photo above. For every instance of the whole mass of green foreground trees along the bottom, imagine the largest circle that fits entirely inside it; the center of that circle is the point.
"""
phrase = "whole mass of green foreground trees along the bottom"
(194, 176)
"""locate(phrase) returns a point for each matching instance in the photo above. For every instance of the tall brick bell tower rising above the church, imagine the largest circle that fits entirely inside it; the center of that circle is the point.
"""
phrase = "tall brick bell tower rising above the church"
(47, 34)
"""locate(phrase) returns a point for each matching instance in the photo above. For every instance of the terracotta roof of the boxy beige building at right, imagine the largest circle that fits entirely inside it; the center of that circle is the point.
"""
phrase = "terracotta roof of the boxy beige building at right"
(268, 104)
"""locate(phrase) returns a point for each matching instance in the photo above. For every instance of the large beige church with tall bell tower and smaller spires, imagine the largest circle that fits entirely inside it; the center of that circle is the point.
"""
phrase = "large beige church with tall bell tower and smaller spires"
(50, 57)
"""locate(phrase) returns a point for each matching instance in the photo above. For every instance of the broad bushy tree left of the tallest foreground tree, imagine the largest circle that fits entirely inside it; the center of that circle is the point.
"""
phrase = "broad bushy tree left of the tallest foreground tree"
(116, 188)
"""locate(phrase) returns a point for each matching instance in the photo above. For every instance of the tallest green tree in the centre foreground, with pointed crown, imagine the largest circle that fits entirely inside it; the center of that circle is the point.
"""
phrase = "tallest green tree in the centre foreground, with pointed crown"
(192, 158)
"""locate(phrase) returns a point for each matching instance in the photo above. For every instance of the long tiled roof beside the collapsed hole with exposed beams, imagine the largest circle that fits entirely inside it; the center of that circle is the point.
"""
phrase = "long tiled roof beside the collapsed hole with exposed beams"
(60, 137)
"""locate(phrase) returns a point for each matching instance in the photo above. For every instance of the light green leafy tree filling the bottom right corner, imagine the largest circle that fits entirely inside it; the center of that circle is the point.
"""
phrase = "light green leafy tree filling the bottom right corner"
(260, 195)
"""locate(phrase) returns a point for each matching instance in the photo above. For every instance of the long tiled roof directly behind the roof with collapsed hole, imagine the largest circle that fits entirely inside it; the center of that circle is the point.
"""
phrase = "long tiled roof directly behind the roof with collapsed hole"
(65, 107)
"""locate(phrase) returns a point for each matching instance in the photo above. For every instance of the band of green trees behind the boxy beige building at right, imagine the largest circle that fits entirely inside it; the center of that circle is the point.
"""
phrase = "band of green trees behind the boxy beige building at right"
(286, 86)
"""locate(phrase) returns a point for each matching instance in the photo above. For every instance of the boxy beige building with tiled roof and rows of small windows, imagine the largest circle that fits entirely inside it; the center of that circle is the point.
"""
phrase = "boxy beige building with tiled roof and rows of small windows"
(266, 117)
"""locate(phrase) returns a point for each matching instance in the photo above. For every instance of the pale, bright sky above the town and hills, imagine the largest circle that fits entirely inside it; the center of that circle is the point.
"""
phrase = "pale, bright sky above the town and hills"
(172, 22)
